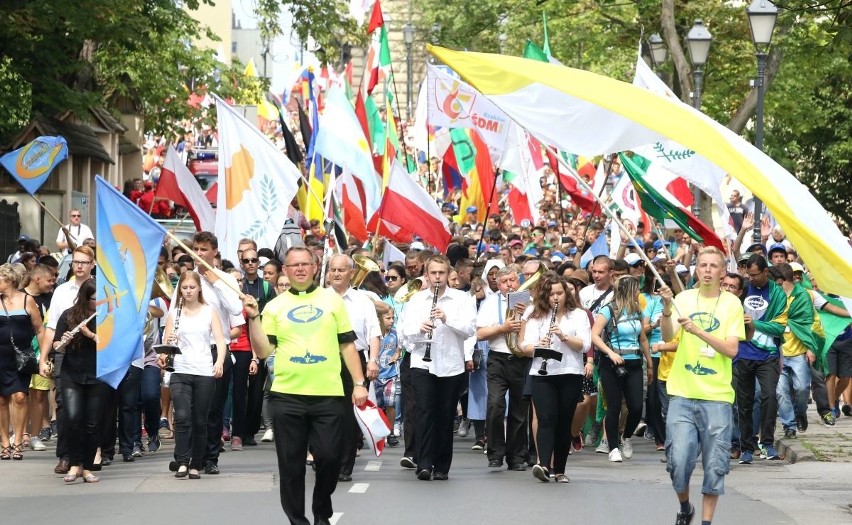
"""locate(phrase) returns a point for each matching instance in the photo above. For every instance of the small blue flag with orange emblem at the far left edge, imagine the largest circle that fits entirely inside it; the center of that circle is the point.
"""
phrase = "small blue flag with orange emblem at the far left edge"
(32, 164)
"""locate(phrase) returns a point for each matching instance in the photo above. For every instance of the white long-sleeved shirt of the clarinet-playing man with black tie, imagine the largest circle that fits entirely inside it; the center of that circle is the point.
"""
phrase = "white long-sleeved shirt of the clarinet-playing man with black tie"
(448, 349)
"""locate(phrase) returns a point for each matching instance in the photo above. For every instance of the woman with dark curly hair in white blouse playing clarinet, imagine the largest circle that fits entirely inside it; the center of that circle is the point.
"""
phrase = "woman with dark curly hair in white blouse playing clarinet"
(555, 395)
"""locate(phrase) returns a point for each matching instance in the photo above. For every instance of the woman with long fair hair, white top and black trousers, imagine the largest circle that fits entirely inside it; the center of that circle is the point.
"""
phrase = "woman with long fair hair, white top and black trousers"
(192, 383)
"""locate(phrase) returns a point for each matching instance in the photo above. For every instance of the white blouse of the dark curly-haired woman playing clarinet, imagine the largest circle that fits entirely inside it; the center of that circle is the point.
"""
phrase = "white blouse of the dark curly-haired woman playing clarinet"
(575, 324)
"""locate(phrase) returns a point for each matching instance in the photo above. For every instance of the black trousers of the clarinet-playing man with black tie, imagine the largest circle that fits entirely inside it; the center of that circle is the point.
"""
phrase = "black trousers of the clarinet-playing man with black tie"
(436, 399)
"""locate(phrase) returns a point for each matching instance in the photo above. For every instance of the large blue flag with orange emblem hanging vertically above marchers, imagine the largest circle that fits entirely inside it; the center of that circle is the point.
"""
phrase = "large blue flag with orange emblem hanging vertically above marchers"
(129, 244)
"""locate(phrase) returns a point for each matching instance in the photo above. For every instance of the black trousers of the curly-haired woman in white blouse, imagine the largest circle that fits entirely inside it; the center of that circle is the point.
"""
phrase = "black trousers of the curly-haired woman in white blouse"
(555, 398)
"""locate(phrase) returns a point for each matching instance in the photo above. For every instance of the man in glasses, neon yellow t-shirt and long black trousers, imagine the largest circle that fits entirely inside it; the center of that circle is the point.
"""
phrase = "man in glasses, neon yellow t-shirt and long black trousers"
(309, 330)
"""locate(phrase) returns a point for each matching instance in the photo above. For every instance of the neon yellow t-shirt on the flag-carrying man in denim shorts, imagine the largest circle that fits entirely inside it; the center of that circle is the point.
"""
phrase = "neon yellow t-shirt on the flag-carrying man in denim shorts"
(698, 373)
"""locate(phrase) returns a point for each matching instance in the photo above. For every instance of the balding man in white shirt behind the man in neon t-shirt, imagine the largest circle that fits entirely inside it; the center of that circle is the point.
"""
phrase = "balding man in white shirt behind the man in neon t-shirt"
(365, 324)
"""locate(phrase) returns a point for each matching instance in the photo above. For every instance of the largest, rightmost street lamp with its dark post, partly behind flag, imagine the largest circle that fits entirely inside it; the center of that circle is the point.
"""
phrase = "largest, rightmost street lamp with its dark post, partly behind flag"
(761, 20)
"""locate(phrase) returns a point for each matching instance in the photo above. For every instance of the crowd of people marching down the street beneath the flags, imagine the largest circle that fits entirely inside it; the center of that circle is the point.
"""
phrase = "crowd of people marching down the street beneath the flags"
(508, 338)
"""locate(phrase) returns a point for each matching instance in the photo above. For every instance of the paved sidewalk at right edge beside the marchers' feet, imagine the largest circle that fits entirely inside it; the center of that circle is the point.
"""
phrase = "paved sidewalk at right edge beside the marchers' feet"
(820, 442)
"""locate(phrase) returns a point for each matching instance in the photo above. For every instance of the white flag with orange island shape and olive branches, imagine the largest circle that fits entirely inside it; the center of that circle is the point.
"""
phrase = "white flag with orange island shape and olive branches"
(256, 184)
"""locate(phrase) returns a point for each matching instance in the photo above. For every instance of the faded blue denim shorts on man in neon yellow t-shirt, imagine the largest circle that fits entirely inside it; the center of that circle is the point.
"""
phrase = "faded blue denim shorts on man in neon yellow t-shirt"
(694, 423)
